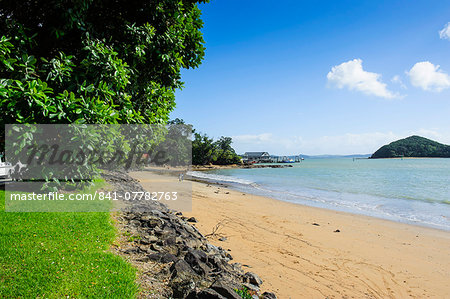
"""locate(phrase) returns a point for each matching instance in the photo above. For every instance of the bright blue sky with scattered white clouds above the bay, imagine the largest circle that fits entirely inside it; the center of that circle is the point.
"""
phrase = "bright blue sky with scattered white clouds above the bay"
(328, 77)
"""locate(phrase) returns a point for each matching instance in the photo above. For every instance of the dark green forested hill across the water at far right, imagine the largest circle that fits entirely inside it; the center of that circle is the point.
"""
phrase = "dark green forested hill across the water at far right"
(414, 146)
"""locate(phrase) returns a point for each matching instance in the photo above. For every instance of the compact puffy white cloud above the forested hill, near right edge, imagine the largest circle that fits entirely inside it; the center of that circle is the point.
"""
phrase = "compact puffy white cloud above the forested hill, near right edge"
(429, 77)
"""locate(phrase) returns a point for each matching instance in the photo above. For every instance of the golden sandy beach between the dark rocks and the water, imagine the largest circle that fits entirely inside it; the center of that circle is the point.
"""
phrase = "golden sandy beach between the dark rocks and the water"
(305, 252)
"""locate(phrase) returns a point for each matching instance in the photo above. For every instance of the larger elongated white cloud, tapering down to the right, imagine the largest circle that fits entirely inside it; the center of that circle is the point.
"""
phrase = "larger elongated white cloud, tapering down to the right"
(351, 75)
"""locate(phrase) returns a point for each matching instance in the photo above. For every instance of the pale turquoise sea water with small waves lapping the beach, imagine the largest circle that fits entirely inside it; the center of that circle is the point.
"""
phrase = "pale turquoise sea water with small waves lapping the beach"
(410, 190)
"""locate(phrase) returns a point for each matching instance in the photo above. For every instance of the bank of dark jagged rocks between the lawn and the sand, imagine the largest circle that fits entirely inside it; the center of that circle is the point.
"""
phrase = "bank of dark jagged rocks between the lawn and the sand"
(173, 258)
